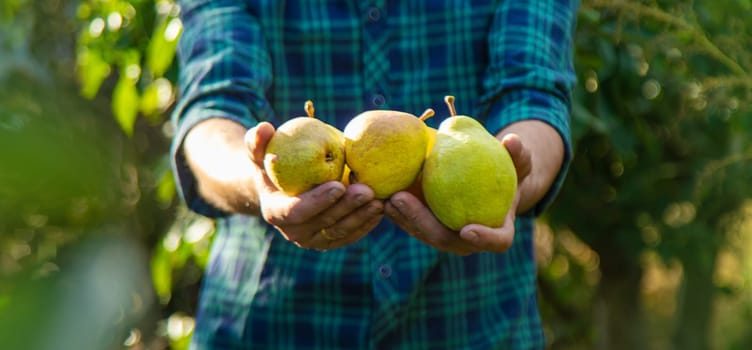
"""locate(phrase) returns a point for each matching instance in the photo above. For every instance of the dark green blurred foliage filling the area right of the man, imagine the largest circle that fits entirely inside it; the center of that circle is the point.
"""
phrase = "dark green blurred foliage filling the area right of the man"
(661, 122)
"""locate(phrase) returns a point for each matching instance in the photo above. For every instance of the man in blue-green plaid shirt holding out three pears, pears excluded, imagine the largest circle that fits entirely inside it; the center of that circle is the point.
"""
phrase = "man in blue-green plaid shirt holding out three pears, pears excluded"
(333, 268)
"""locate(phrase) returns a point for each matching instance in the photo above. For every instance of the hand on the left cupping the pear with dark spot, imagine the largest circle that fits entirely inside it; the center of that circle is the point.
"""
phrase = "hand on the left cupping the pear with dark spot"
(326, 217)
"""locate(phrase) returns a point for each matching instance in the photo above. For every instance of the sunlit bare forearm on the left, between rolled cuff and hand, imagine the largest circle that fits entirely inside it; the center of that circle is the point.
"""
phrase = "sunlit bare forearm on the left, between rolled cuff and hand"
(225, 175)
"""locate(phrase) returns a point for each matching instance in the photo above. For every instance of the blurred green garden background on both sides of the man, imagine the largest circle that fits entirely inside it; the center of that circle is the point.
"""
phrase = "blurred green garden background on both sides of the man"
(649, 245)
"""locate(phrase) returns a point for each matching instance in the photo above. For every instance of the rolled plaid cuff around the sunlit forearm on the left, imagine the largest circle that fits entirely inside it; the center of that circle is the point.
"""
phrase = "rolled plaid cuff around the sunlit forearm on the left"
(196, 113)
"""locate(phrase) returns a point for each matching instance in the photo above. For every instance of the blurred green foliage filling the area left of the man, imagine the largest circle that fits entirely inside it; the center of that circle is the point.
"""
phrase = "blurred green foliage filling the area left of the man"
(92, 241)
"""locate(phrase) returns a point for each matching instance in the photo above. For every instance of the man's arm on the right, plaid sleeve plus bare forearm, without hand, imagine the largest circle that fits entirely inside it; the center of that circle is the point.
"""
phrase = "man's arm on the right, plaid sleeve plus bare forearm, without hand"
(531, 77)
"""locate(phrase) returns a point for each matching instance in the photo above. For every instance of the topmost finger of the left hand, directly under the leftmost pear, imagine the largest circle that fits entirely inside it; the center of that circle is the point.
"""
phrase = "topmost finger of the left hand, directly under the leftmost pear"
(282, 210)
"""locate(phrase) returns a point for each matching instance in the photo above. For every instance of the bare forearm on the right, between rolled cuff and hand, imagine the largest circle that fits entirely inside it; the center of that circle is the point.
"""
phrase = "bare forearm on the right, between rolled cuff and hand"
(546, 149)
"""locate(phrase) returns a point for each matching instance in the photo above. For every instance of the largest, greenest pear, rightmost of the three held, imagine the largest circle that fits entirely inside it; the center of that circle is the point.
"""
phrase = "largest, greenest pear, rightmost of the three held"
(469, 176)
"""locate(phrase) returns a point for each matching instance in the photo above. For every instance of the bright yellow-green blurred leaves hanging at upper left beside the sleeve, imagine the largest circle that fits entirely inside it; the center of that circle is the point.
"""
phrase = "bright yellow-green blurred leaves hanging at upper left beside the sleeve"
(137, 41)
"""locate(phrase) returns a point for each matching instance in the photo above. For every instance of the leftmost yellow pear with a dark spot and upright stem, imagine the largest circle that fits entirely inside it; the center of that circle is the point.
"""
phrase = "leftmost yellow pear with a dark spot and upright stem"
(304, 152)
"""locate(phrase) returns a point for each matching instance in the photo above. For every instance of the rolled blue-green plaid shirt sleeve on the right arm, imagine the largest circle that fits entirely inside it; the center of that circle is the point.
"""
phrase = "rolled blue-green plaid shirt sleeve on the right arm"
(530, 73)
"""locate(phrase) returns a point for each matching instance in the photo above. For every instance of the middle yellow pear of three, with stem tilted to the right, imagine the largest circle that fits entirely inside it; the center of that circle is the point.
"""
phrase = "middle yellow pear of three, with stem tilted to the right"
(385, 149)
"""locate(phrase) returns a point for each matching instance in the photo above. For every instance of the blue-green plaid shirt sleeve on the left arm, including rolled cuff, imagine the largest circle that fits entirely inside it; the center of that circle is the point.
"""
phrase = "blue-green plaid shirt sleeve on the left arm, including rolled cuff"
(224, 72)
